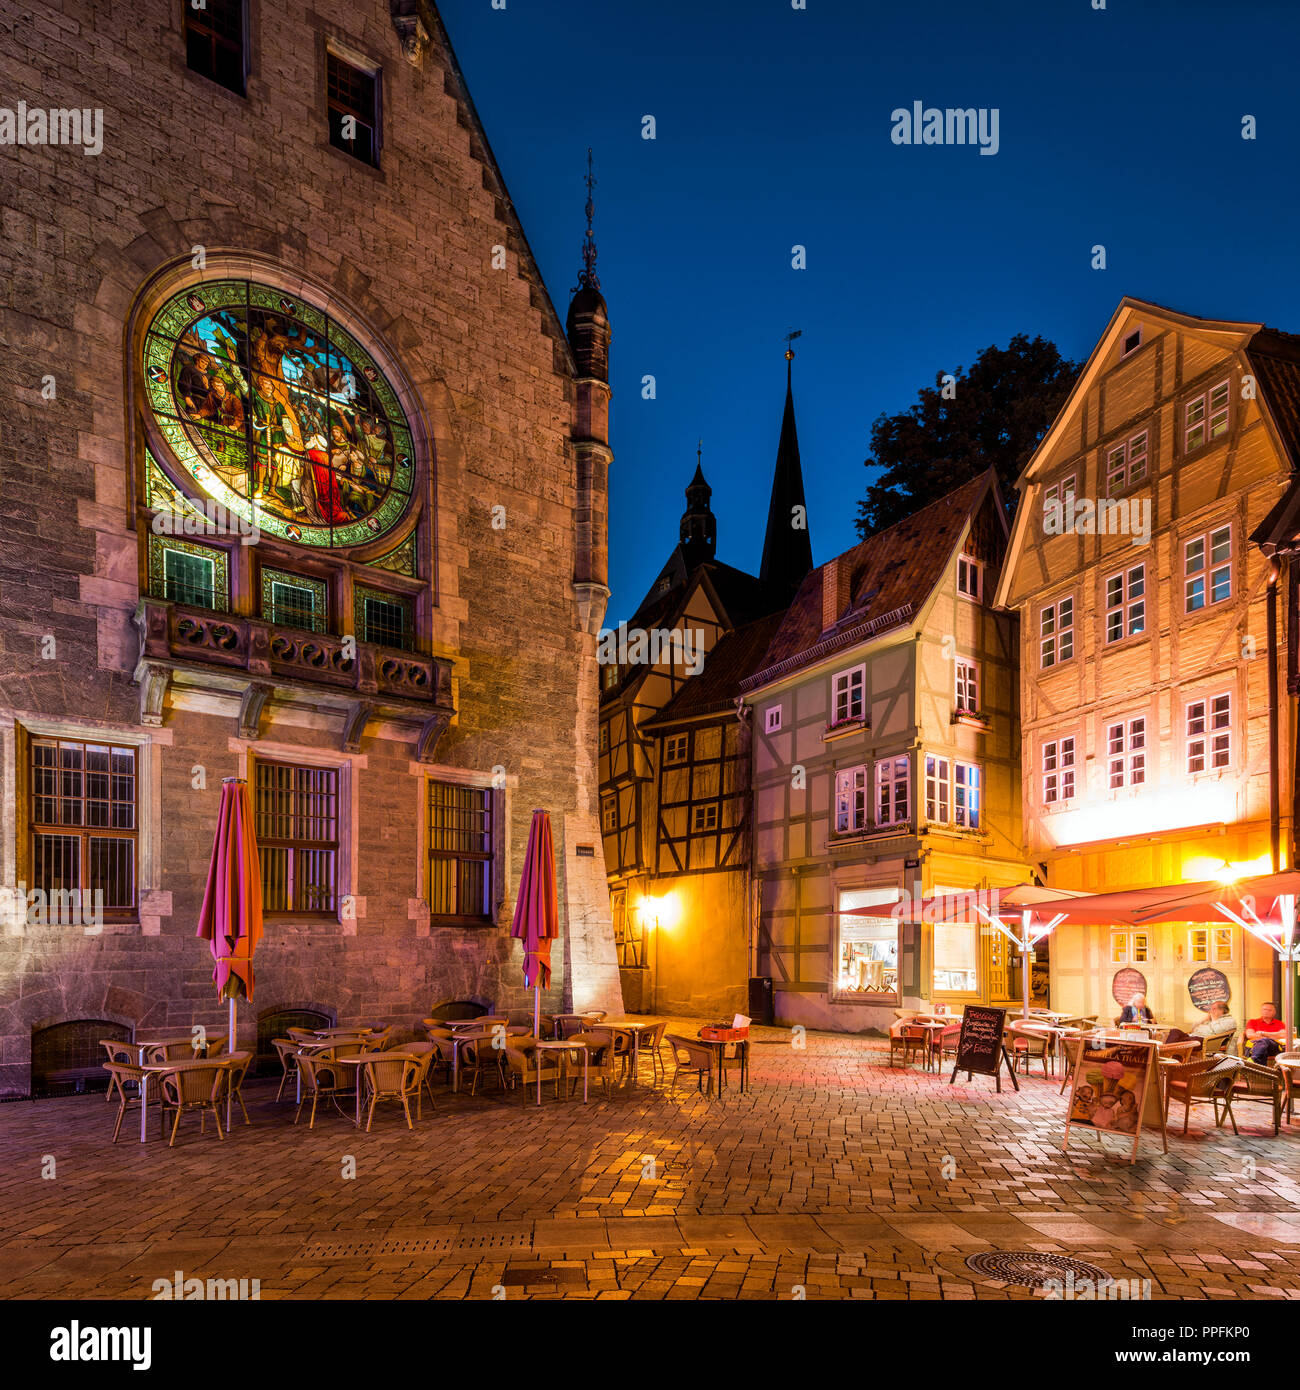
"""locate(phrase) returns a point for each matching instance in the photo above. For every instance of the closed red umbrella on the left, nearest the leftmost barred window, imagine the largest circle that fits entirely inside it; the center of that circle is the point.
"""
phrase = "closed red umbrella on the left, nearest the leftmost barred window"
(230, 919)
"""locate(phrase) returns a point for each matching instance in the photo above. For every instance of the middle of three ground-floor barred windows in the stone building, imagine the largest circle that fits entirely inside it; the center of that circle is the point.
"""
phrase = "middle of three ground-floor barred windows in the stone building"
(298, 836)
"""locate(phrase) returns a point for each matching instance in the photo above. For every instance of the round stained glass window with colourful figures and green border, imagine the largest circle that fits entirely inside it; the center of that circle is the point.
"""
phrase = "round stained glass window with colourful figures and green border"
(277, 414)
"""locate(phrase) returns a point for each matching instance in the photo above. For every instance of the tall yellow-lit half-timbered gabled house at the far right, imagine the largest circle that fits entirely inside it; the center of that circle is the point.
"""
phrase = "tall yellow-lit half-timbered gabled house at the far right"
(1146, 651)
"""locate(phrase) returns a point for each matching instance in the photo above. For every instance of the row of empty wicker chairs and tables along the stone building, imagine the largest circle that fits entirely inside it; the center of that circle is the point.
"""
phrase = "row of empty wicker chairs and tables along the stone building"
(371, 1074)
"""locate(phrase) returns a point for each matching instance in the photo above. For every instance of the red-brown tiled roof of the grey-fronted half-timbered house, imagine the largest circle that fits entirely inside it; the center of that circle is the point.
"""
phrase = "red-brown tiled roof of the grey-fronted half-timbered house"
(893, 573)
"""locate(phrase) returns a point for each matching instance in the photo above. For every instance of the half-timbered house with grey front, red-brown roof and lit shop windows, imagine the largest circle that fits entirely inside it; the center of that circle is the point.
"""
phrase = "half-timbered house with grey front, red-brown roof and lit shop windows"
(886, 762)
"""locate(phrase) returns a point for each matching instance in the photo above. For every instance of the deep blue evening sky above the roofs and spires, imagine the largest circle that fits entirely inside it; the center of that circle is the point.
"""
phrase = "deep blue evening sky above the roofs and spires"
(1119, 127)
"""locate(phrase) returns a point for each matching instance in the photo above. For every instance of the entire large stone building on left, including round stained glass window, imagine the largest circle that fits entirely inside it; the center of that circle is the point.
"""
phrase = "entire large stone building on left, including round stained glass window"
(302, 204)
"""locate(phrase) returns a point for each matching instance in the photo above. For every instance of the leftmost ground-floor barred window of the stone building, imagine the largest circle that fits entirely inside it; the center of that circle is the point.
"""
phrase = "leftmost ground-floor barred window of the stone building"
(84, 826)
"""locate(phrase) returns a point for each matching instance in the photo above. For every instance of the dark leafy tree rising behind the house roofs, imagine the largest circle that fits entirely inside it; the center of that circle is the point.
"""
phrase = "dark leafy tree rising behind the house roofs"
(999, 412)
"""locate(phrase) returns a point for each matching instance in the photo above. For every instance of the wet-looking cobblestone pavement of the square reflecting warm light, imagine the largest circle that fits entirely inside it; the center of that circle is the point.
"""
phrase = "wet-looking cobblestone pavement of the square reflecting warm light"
(835, 1177)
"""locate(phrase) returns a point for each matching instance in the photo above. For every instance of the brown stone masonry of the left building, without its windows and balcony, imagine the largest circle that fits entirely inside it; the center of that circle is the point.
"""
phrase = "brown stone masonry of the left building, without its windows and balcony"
(409, 251)
